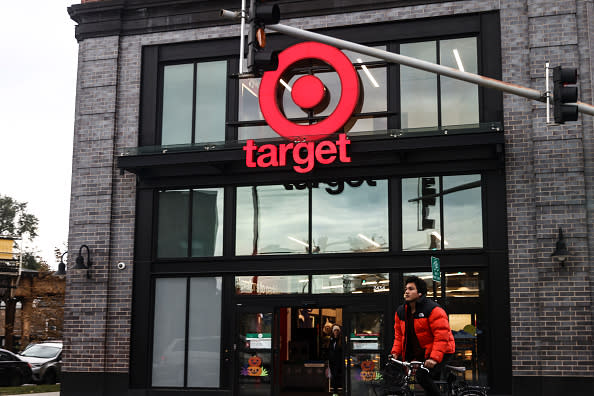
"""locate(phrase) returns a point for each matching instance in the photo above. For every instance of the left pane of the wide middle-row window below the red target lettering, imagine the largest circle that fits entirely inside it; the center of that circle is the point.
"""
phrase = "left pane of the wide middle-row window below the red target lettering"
(271, 220)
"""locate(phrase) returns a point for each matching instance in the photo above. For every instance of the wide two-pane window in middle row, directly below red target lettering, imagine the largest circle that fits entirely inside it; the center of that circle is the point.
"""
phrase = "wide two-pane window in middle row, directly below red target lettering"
(346, 217)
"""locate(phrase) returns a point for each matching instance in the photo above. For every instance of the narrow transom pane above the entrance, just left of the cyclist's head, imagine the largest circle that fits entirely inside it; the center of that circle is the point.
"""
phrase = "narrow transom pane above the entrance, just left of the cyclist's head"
(351, 283)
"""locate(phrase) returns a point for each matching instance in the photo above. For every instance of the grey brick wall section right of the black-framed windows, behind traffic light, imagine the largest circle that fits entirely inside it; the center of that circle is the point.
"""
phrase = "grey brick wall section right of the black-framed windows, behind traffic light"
(547, 171)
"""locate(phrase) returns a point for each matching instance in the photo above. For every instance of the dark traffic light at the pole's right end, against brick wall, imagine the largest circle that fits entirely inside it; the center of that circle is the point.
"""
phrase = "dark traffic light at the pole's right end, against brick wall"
(563, 94)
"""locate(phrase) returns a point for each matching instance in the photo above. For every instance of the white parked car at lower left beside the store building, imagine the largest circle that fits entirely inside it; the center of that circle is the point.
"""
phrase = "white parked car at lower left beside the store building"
(46, 361)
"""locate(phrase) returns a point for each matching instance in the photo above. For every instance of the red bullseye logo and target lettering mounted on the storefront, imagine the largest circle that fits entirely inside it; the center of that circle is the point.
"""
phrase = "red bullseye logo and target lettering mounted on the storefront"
(307, 92)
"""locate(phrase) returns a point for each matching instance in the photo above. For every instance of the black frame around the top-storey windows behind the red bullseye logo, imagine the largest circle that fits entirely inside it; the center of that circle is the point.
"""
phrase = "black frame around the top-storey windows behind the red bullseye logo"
(483, 27)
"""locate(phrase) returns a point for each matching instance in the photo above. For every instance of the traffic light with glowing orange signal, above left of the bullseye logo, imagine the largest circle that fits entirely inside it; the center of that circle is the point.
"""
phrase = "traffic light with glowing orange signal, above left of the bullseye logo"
(259, 58)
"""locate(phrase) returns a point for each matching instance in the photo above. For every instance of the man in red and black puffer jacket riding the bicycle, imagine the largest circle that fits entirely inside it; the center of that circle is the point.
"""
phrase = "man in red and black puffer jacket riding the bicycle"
(422, 333)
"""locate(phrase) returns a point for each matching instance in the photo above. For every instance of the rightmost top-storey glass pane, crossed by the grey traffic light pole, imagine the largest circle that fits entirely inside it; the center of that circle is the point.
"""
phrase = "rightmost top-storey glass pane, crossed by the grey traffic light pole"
(459, 99)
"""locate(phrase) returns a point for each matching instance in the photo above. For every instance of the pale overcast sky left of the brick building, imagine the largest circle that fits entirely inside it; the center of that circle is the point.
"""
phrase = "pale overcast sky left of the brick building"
(38, 78)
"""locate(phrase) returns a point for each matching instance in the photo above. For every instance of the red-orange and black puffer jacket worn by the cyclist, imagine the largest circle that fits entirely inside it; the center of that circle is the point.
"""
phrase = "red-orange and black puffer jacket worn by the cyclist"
(431, 326)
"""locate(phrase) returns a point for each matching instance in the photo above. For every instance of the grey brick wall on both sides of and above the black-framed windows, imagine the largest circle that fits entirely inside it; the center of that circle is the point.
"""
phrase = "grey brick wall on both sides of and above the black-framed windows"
(549, 173)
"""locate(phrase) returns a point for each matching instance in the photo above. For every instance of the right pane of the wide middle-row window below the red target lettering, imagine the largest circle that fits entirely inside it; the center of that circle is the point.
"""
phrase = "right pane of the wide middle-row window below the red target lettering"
(354, 220)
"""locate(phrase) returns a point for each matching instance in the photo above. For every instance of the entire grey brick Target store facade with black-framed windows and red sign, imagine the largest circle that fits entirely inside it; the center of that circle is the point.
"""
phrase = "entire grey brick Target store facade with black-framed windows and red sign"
(233, 221)
